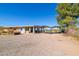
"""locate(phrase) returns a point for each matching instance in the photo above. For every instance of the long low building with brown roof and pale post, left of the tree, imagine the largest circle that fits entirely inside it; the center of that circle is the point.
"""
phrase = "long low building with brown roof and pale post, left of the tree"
(22, 29)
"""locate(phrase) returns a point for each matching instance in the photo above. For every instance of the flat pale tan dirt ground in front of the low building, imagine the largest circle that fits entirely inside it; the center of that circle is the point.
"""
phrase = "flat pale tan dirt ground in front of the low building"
(38, 45)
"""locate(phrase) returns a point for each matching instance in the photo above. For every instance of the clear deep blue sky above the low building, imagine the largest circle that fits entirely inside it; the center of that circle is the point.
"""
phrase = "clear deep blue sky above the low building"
(21, 14)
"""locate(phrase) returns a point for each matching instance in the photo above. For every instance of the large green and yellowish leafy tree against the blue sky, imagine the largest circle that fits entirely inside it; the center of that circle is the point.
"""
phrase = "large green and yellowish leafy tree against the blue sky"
(67, 15)
